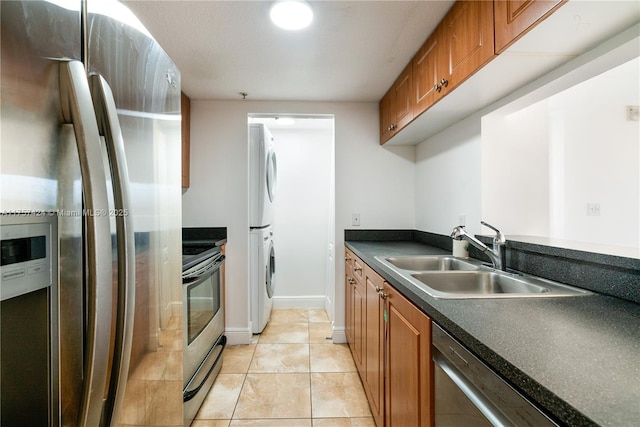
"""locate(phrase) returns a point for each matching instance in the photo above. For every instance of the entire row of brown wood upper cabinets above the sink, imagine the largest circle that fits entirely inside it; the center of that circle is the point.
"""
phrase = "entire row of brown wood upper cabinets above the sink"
(470, 35)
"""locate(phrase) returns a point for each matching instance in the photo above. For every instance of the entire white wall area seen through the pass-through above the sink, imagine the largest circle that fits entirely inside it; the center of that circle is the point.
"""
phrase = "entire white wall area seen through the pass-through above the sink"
(550, 160)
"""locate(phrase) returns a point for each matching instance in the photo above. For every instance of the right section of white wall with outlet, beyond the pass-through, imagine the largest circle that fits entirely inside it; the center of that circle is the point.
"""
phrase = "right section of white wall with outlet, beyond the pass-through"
(601, 157)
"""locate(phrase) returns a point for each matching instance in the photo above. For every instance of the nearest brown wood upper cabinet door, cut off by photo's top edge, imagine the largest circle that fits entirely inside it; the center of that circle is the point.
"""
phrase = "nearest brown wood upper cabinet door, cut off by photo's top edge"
(514, 18)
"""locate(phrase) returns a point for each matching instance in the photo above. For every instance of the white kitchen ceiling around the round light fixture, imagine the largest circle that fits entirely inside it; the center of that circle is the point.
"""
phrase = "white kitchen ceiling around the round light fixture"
(352, 52)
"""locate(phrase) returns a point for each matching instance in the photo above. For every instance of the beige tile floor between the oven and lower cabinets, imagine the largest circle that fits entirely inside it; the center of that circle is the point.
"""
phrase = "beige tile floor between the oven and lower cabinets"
(291, 376)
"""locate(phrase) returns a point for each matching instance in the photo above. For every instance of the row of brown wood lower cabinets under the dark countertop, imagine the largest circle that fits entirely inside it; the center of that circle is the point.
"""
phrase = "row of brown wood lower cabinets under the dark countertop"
(390, 339)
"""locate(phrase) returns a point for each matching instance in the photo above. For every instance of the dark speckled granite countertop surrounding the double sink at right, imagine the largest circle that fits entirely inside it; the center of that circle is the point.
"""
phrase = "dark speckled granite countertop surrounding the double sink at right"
(578, 358)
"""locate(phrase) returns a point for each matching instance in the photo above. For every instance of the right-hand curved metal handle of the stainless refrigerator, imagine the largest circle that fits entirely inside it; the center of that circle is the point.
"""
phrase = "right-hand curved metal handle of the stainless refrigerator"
(109, 127)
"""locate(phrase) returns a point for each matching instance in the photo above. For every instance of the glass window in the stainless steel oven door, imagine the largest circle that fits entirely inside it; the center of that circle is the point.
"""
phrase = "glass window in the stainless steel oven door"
(203, 302)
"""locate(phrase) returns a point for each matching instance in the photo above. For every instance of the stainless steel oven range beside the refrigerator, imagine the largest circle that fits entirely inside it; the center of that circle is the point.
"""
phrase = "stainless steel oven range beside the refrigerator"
(203, 325)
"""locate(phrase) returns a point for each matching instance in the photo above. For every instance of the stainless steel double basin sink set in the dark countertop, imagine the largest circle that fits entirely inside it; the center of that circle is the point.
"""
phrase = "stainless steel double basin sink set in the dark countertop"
(447, 277)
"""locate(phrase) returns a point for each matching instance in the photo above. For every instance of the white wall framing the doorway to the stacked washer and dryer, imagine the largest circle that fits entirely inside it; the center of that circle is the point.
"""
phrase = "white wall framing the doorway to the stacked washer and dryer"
(375, 181)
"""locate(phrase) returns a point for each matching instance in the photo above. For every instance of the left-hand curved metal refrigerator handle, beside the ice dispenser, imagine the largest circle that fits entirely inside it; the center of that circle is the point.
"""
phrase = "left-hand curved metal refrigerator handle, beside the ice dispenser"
(77, 109)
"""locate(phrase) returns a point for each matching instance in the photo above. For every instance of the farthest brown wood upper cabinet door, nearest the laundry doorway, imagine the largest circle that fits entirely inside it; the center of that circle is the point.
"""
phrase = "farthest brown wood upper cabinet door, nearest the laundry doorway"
(396, 107)
